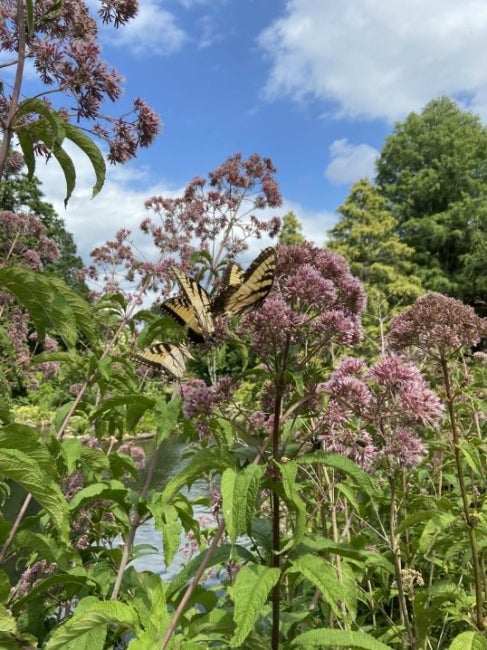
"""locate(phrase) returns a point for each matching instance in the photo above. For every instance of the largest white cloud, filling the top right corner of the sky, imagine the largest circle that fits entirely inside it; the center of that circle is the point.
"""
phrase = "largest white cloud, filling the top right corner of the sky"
(379, 58)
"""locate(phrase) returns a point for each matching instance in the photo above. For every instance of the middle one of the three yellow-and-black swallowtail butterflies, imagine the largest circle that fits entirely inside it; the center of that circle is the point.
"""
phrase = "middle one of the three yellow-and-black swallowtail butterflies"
(192, 309)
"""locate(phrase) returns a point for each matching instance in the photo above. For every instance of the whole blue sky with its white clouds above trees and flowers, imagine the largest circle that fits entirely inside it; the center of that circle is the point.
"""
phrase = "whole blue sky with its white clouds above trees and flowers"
(314, 85)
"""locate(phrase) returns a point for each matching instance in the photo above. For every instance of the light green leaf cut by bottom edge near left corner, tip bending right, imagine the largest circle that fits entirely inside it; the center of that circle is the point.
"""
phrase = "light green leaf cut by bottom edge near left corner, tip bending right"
(86, 630)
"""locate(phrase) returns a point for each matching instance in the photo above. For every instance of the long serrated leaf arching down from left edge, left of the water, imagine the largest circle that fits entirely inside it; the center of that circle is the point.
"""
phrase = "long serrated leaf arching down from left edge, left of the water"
(26, 472)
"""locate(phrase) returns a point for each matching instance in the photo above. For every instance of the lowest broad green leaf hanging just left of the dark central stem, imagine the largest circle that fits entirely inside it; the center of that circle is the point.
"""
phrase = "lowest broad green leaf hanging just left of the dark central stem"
(250, 593)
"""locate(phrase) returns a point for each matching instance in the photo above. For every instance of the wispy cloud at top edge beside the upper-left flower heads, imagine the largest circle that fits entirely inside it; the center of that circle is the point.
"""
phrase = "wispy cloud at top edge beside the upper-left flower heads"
(154, 31)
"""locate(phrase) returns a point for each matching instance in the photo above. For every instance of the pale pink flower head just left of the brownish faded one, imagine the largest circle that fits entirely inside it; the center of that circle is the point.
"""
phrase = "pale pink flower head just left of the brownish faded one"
(376, 417)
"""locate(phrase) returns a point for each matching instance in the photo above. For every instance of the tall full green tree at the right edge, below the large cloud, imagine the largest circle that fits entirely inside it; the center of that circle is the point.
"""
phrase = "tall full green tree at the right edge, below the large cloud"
(433, 171)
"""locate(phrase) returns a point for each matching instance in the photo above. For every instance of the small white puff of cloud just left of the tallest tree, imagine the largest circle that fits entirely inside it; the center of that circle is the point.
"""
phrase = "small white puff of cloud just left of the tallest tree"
(349, 162)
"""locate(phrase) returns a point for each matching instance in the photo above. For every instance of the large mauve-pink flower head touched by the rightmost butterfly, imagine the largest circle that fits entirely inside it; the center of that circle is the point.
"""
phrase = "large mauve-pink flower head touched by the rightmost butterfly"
(315, 301)
